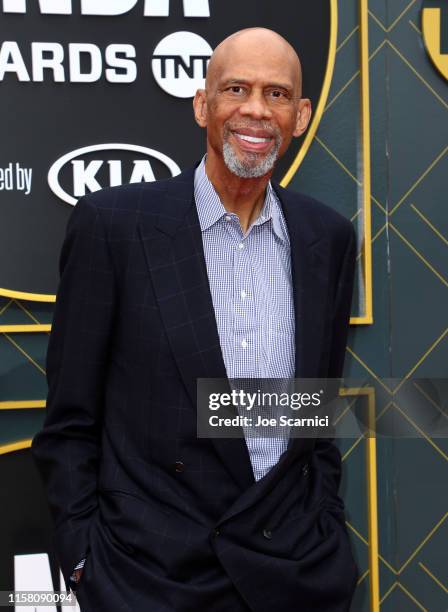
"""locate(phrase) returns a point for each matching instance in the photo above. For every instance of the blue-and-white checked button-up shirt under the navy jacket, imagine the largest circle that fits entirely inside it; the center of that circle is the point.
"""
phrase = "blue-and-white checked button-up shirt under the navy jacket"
(250, 282)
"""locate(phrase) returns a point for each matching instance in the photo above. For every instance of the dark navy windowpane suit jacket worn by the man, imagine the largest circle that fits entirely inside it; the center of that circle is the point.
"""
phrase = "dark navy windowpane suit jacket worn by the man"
(170, 522)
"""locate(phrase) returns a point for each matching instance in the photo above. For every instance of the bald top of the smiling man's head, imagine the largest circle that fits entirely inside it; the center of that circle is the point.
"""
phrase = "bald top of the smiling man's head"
(250, 43)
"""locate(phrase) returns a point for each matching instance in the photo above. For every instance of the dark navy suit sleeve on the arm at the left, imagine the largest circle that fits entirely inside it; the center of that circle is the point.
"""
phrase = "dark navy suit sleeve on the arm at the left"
(67, 449)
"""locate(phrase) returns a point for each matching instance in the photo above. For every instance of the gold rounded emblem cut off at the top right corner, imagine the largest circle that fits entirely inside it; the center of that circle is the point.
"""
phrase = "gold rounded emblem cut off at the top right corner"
(435, 32)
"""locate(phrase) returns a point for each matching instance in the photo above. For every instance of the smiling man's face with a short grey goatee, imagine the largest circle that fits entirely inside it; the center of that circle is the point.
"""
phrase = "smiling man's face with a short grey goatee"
(252, 108)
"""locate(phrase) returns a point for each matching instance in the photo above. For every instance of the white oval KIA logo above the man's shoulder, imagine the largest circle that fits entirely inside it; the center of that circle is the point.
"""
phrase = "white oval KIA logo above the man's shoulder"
(87, 174)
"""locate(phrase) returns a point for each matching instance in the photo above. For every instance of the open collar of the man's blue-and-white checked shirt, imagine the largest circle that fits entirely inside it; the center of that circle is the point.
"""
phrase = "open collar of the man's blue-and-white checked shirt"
(211, 209)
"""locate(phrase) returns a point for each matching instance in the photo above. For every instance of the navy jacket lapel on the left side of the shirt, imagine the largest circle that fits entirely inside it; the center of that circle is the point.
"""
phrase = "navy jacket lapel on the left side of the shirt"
(175, 258)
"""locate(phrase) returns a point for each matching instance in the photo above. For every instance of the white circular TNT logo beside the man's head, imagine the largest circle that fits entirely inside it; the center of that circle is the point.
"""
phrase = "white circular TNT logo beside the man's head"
(179, 63)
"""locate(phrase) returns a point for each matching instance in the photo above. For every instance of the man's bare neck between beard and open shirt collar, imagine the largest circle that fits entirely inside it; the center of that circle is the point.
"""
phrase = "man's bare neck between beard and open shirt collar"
(244, 197)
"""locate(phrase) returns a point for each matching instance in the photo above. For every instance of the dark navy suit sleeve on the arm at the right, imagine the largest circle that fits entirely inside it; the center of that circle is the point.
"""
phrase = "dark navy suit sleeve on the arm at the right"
(328, 455)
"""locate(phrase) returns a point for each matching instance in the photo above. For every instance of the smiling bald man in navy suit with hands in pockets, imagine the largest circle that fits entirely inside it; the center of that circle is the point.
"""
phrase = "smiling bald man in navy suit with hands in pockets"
(216, 273)
